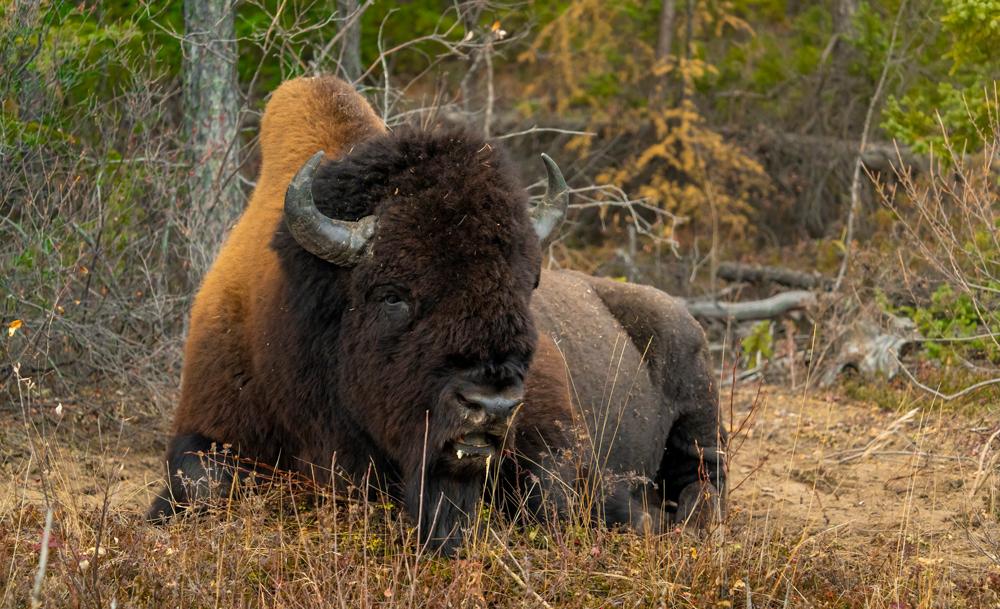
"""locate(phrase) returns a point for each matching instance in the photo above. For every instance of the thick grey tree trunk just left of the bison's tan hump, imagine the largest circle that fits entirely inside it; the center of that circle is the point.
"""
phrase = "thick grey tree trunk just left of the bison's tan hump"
(211, 112)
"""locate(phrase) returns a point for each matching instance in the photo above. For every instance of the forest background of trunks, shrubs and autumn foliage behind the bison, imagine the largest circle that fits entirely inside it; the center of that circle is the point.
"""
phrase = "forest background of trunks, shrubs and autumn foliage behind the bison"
(694, 133)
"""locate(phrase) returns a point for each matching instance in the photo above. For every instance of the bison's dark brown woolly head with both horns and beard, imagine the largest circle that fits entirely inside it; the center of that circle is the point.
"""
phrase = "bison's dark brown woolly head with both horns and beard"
(414, 258)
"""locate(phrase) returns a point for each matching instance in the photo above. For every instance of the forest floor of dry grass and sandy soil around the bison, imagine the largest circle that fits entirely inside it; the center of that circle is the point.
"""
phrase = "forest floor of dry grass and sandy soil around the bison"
(833, 503)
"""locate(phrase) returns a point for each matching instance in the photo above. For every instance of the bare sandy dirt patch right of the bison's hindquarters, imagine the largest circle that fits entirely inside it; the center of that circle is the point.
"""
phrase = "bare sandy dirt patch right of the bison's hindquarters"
(860, 476)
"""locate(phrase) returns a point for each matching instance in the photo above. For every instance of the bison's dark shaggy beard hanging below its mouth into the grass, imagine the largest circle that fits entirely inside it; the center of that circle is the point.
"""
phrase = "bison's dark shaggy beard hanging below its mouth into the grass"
(444, 503)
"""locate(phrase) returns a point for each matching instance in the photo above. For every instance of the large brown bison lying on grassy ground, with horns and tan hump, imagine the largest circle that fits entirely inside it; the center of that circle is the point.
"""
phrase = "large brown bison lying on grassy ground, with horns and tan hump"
(380, 305)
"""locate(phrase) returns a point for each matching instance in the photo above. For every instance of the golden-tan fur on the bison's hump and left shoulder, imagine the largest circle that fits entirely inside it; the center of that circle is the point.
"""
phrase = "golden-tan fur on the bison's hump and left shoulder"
(303, 116)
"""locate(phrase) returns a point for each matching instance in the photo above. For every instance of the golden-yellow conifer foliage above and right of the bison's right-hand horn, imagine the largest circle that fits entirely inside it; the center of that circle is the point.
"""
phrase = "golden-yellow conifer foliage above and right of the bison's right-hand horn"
(673, 159)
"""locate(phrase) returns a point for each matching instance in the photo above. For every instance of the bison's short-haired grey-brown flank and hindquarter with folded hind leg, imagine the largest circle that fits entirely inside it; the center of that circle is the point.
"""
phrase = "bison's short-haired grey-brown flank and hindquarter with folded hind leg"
(640, 376)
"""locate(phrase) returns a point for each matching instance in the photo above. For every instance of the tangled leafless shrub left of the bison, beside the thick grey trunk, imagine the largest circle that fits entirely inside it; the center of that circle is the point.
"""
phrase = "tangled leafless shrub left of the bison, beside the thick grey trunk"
(87, 218)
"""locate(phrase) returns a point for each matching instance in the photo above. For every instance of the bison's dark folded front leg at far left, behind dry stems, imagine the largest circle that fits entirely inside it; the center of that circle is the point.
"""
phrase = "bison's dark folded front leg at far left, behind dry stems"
(197, 470)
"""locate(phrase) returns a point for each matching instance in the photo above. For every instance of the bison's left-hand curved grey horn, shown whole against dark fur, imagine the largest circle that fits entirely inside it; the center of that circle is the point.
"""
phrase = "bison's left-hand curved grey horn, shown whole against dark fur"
(337, 241)
